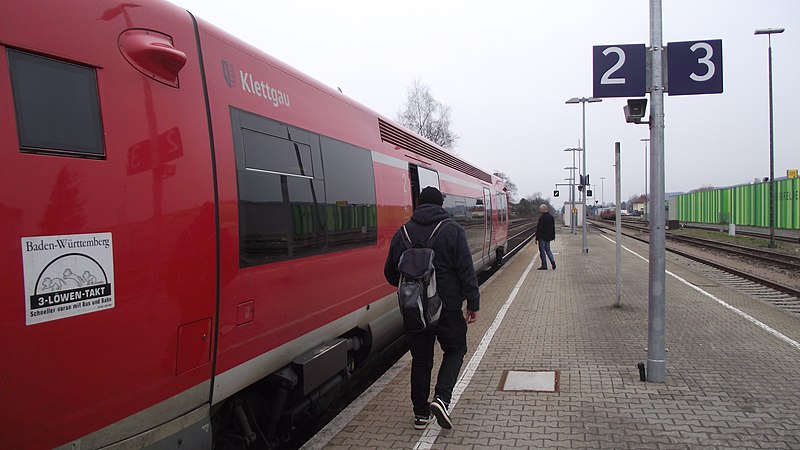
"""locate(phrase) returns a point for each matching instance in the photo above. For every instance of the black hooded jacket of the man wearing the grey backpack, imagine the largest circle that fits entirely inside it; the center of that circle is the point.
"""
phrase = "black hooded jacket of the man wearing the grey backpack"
(455, 275)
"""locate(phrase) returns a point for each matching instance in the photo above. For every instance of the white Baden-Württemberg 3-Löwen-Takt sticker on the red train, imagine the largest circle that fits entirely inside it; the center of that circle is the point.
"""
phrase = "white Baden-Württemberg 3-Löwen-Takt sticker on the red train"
(67, 275)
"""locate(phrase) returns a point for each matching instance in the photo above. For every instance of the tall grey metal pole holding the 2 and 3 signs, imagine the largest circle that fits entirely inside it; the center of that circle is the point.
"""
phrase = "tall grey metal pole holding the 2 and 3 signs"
(656, 335)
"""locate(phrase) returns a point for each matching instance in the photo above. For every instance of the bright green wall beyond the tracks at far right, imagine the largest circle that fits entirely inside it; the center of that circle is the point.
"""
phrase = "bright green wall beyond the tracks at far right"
(746, 205)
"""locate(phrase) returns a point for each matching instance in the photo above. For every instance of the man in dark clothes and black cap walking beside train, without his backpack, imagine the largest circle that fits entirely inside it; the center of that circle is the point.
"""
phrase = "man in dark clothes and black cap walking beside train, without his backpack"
(455, 281)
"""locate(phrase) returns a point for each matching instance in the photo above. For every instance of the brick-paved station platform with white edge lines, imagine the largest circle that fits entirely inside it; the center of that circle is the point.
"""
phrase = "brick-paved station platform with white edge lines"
(733, 364)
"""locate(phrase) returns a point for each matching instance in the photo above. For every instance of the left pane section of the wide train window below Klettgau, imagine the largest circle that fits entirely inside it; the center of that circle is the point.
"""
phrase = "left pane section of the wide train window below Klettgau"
(281, 213)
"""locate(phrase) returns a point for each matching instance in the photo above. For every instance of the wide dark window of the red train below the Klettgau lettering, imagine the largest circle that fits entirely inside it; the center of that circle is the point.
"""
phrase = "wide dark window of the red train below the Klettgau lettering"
(283, 211)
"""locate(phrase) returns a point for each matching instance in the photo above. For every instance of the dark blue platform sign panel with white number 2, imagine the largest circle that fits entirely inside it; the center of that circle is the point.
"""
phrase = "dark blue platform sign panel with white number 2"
(619, 70)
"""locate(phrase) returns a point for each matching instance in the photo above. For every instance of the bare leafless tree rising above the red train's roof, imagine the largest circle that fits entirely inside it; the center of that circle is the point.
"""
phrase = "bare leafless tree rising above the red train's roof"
(427, 117)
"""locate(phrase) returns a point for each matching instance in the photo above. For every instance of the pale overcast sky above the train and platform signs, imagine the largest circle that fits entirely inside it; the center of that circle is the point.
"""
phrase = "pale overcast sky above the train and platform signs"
(507, 67)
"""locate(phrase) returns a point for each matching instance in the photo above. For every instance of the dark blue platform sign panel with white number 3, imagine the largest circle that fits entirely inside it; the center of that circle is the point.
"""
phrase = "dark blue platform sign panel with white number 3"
(694, 67)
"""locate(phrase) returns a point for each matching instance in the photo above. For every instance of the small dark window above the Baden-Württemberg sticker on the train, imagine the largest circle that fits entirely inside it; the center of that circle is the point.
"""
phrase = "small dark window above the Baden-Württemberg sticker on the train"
(57, 106)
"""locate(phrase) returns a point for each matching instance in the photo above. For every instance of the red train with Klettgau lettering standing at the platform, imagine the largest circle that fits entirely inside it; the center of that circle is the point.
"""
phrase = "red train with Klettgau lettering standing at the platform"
(193, 233)
